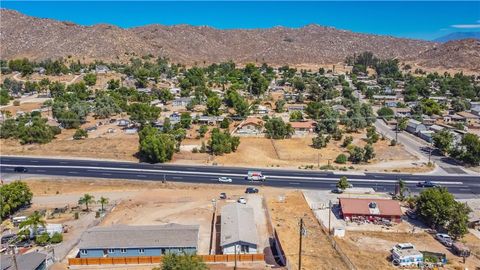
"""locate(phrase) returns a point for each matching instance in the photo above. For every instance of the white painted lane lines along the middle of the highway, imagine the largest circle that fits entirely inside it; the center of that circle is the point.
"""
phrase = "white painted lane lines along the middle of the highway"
(280, 177)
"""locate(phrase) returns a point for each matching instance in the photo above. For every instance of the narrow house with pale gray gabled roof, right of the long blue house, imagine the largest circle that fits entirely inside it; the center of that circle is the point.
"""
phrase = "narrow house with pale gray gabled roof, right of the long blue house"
(238, 231)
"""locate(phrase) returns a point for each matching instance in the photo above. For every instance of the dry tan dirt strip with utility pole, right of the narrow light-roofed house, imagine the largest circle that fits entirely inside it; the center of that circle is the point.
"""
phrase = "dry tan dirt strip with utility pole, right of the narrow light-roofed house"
(317, 251)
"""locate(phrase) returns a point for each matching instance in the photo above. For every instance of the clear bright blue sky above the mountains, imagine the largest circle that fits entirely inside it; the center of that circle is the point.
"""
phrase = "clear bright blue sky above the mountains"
(421, 20)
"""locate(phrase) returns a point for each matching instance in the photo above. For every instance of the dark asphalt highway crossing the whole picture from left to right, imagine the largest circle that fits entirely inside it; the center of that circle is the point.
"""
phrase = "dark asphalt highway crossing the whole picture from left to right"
(465, 185)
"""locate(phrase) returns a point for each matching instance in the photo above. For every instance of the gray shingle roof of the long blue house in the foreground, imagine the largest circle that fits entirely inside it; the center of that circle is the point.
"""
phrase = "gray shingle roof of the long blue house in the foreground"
(123, 236)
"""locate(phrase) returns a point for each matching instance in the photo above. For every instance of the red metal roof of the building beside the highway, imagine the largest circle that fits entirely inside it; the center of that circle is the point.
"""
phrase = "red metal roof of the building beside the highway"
(352, 206)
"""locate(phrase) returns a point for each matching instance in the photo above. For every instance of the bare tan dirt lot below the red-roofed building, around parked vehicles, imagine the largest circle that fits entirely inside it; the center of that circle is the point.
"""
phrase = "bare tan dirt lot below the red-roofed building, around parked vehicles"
(371, 250)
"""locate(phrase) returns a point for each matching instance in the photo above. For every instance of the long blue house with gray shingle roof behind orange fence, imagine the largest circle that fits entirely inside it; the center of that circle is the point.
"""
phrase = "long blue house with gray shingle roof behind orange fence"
(132, 241)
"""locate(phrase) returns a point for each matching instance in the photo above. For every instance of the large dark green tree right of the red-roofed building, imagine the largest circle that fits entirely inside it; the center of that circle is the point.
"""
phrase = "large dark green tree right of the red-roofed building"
(439, 209)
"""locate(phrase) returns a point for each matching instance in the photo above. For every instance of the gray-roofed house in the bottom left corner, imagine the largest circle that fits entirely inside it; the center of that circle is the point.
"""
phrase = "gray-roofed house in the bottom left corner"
(27, 261)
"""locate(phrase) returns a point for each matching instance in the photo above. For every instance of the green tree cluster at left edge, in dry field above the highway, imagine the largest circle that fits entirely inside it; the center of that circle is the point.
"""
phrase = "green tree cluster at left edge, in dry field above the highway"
(28, 129)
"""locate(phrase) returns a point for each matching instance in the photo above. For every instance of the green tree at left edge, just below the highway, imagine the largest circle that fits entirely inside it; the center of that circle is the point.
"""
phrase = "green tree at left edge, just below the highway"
(14, 196)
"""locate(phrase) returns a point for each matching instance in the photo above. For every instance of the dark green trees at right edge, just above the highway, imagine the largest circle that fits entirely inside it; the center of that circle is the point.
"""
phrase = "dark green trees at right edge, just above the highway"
(467, 150)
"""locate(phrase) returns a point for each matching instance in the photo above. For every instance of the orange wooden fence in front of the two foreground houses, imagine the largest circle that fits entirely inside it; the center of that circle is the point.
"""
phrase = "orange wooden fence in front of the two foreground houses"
(158, 259)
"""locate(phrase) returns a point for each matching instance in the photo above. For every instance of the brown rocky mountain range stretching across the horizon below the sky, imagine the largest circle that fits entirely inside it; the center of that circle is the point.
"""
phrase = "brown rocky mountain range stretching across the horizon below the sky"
(35, 38)
